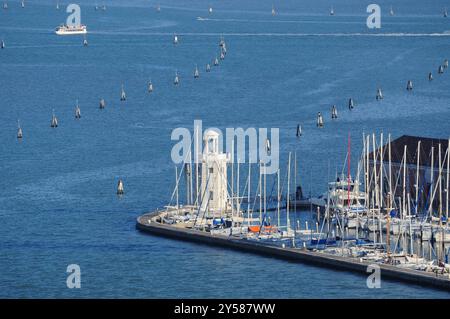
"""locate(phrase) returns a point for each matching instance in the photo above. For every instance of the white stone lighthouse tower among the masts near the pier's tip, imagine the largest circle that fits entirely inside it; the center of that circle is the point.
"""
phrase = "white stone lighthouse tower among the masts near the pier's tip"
(214, 193)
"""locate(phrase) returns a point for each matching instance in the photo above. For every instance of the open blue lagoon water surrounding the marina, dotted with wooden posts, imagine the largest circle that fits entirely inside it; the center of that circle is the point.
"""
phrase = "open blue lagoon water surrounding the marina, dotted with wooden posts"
(58, 204)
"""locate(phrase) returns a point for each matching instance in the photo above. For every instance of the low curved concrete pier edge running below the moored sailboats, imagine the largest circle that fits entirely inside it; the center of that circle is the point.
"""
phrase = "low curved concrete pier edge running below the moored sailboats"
(148, 223)
